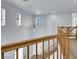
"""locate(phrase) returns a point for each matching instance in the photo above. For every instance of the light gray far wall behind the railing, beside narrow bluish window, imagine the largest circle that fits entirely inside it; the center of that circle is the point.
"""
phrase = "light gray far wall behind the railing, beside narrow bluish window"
(48, 23)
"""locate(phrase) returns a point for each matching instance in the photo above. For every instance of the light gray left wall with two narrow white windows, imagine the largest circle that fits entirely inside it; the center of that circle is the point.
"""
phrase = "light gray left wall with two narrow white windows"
(11, 32)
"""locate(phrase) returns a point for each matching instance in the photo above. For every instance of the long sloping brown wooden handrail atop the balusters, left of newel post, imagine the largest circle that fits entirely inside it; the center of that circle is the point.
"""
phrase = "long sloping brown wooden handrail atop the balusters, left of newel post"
(20, 44)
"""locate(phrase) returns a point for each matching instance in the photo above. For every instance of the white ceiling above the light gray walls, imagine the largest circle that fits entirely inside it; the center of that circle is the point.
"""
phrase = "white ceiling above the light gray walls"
(46, 6)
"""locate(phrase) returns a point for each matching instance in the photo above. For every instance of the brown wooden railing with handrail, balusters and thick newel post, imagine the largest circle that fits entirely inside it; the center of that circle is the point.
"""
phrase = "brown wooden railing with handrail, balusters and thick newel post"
(61, 38)
